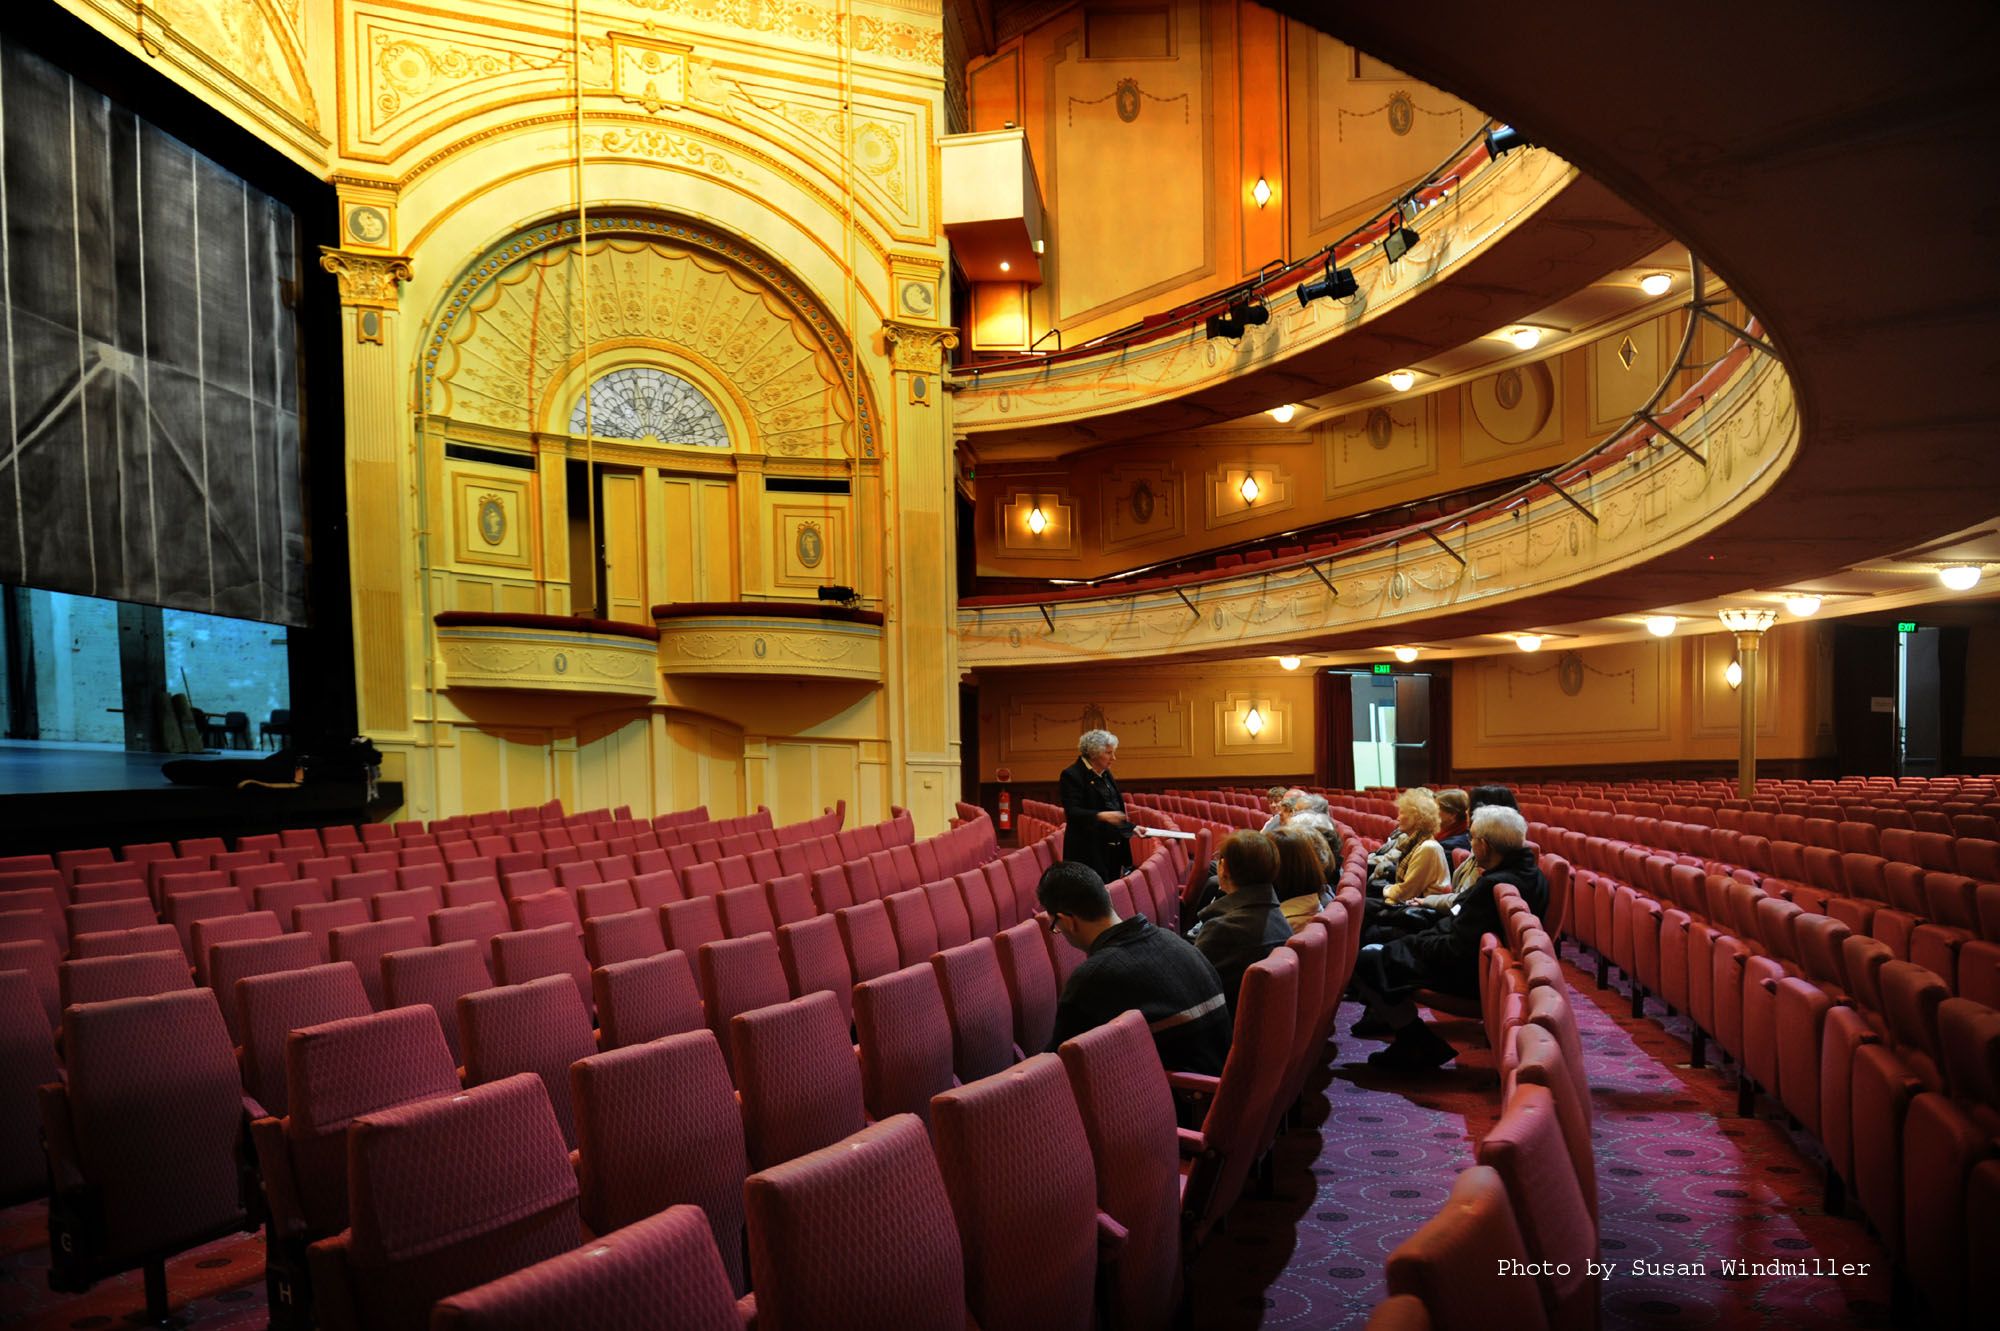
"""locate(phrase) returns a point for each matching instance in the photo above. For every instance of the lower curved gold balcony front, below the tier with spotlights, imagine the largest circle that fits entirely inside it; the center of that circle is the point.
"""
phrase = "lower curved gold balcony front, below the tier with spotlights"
(1669, 477)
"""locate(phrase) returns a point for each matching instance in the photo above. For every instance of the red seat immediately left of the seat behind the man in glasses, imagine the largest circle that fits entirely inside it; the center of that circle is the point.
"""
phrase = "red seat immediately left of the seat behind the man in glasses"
(1021, 1208)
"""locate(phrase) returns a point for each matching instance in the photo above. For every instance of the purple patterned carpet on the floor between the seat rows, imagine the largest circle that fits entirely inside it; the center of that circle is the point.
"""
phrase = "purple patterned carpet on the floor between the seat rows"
(1683, 1182)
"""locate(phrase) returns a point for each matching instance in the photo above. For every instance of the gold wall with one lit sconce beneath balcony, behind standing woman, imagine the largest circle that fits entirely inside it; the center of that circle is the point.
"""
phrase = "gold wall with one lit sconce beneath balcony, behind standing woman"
(1171, 720)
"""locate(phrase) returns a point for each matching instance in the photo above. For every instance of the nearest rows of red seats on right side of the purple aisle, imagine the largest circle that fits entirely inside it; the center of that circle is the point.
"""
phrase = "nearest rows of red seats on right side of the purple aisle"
(1871, 1054)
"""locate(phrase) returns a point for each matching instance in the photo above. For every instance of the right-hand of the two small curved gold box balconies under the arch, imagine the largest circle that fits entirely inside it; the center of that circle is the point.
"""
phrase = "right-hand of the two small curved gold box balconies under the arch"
(783, 641)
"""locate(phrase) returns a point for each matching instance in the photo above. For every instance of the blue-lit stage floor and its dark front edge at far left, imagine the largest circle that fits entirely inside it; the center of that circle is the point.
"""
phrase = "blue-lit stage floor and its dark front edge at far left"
(59, 796)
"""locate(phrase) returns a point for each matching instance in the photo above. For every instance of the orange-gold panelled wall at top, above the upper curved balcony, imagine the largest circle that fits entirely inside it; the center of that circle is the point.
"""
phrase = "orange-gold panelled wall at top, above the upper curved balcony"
(1167, 113)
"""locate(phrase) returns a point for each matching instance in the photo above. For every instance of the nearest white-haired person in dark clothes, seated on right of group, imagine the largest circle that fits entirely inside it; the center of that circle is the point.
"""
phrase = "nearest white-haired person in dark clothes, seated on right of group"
(1447, 956)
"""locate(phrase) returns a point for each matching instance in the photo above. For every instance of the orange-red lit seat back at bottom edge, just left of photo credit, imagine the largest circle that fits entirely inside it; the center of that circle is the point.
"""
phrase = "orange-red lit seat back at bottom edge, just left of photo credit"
(1453, 1262)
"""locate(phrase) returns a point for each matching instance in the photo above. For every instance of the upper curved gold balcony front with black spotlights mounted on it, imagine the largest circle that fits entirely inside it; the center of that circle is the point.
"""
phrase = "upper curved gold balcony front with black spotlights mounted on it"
(1499, 241)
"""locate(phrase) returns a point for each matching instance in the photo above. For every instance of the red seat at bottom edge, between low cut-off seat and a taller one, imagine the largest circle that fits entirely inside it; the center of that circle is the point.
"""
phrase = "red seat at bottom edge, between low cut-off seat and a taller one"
(875, 1224)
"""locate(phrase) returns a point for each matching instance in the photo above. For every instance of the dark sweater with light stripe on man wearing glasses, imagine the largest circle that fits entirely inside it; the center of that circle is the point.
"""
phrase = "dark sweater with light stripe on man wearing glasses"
(1135, 966)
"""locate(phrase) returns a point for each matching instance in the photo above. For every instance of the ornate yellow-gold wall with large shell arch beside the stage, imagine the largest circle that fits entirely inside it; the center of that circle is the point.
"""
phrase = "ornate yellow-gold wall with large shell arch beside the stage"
(787, 159)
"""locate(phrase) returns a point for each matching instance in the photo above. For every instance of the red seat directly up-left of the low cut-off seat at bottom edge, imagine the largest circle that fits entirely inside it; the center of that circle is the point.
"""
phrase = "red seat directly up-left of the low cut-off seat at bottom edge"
(445, 1194)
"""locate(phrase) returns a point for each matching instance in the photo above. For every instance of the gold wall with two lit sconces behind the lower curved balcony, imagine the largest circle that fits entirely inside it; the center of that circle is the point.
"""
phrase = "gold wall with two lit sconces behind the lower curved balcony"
(1145, 503)
